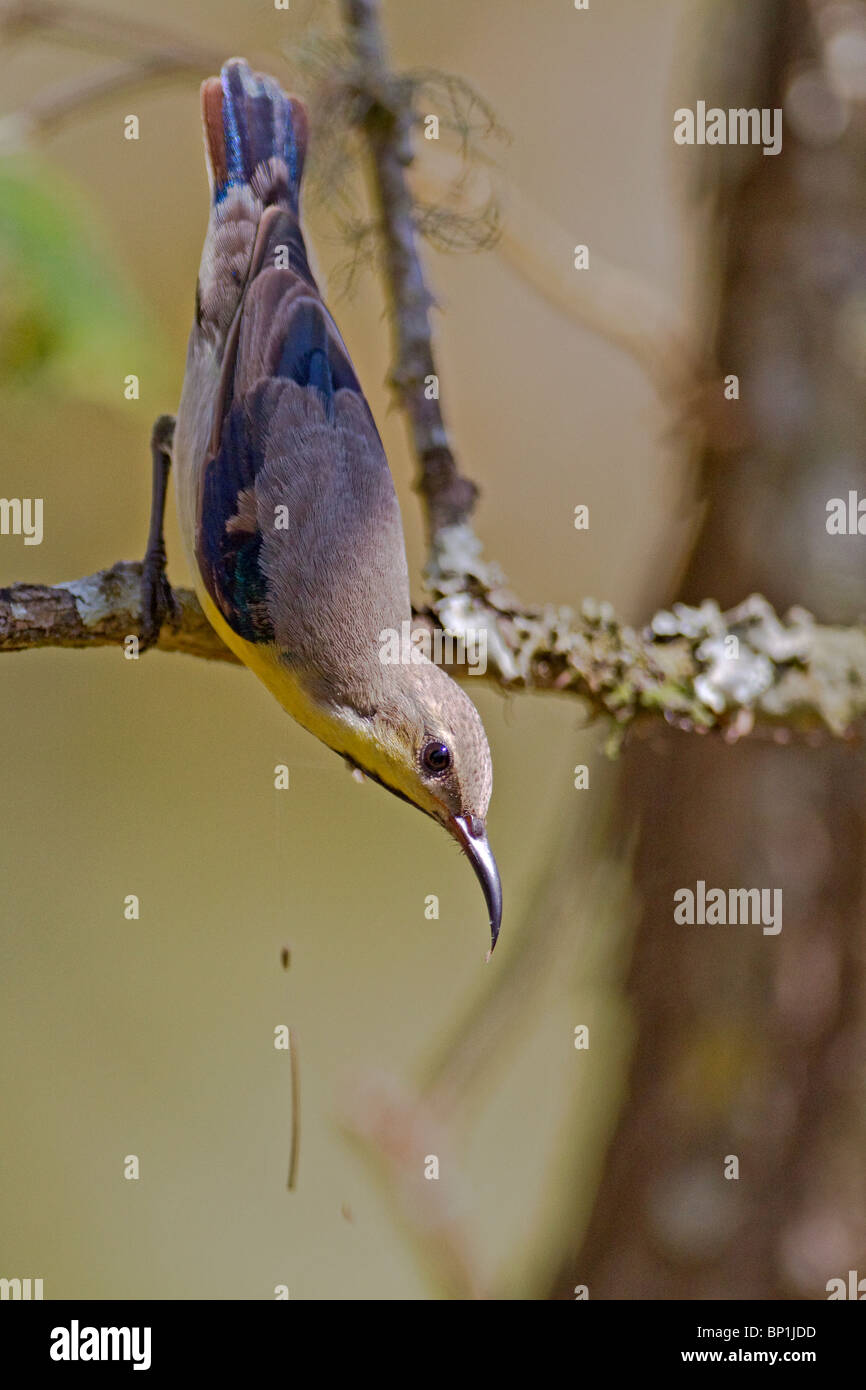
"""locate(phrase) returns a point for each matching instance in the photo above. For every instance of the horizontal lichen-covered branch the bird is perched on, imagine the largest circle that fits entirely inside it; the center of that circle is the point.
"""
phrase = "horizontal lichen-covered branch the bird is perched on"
(696, 668)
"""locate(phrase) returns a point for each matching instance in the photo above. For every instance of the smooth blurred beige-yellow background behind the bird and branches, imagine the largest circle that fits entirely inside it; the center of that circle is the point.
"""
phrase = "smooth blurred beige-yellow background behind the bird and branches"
(155, 778)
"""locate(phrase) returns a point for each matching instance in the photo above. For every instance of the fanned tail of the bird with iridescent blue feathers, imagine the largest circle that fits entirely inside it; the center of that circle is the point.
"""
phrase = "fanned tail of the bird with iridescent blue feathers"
(255, 136)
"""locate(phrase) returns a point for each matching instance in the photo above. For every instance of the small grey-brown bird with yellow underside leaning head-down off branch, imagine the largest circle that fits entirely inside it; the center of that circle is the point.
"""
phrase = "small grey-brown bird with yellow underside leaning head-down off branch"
(286, 500)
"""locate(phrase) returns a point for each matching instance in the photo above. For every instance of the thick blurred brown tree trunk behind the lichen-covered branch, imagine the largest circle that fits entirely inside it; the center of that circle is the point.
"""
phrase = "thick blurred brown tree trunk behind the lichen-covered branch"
(751, 1045)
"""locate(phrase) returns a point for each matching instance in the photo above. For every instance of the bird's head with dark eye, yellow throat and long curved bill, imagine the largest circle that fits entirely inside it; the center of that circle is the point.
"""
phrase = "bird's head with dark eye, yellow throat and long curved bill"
(425, 742)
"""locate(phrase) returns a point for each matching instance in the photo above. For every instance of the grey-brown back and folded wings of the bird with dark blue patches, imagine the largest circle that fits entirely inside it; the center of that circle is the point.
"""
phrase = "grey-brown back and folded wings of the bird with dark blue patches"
(300, 540)
